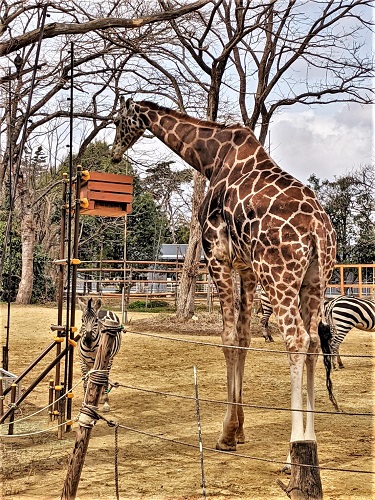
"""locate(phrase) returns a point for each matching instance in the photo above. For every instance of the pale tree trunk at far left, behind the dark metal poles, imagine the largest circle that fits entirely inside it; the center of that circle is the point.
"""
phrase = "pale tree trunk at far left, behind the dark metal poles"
(28, 242)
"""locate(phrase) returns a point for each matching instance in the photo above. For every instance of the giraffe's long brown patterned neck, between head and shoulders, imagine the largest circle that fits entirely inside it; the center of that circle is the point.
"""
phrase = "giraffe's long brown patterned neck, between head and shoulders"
(202, 144)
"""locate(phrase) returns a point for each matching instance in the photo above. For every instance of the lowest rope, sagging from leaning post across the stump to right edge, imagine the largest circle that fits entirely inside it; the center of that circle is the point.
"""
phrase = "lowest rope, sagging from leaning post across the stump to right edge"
(111, 423)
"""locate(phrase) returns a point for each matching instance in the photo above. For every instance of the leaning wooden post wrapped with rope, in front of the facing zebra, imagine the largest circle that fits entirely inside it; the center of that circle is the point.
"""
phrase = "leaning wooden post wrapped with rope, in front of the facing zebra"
(87, 418)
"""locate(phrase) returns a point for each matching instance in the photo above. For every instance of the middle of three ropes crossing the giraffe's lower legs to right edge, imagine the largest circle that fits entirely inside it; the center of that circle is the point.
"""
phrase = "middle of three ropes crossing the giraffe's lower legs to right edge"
(247, 405)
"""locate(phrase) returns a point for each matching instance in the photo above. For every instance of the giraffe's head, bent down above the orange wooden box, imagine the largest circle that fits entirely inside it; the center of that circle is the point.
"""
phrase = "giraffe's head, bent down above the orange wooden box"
(130, 125)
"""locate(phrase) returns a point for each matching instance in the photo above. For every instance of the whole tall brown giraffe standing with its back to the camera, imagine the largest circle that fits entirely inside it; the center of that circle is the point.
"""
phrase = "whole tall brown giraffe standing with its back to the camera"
(258, 220)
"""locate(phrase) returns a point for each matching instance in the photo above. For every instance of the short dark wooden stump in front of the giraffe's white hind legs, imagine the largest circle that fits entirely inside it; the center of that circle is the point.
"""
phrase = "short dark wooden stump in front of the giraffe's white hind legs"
(305, 483)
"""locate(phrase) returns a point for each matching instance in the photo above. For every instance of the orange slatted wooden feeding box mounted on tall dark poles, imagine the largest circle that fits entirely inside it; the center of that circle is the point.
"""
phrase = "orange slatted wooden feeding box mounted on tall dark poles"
(109, 195)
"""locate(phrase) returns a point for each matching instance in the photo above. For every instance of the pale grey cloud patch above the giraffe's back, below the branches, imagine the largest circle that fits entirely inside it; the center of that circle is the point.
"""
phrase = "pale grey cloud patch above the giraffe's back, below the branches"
(328, 145)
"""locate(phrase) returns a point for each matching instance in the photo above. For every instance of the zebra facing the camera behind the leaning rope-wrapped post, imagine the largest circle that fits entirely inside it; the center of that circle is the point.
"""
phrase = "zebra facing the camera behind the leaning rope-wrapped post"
(89, 342)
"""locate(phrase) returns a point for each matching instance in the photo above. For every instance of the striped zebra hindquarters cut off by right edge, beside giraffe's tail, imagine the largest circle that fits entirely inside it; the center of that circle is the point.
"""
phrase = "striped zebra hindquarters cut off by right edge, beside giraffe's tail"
(344, 313)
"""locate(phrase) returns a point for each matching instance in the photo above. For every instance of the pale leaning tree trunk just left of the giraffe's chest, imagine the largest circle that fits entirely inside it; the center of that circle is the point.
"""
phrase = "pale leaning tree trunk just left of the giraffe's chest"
(186, 290)
